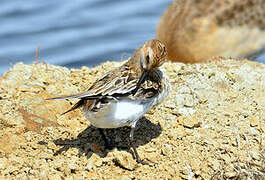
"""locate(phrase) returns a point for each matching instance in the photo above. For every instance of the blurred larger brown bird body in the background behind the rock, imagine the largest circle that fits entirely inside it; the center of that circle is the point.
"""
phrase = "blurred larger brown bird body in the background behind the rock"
(195, 31)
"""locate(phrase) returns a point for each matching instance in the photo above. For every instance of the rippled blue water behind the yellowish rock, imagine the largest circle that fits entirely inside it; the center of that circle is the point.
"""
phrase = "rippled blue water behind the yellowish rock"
(75, 33)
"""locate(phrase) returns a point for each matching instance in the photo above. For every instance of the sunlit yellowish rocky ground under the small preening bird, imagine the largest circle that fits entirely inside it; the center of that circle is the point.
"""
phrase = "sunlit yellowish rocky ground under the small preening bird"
(211, 126)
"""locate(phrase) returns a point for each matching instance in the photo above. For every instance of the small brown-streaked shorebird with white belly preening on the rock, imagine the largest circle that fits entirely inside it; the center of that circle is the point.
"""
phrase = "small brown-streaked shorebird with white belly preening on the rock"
(122, 96)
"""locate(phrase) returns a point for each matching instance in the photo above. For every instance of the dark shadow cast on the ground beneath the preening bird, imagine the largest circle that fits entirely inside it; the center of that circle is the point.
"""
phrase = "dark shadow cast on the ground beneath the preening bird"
(90, 141)
